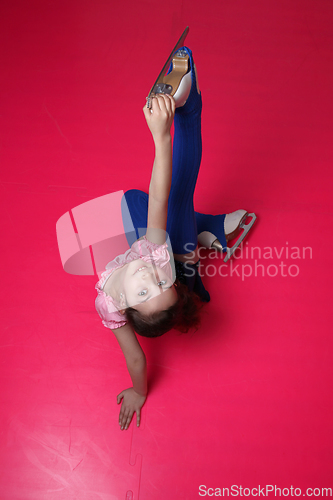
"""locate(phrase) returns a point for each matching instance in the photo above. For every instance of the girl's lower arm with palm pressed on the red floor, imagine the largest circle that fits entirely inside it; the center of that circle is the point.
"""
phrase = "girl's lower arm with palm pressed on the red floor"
(134, 397)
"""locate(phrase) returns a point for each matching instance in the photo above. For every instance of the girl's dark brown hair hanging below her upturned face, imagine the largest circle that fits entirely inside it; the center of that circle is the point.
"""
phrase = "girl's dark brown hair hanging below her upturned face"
(181, 316)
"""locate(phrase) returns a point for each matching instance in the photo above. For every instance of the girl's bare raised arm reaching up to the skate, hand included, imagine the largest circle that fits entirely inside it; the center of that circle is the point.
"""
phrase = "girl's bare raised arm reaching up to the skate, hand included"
(159, 120)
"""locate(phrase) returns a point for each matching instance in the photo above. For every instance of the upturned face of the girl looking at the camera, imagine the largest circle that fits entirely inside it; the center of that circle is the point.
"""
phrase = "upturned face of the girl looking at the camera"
(147, 287)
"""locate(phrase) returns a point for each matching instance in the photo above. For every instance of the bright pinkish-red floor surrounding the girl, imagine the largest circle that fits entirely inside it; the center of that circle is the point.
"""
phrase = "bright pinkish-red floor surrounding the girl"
(247, 399)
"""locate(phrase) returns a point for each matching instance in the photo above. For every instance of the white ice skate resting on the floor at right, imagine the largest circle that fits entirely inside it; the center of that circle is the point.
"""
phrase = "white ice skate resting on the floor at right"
(234, 223)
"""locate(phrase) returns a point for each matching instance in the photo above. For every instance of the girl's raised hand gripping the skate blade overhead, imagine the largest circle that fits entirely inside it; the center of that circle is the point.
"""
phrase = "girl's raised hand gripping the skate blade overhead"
(160, 117)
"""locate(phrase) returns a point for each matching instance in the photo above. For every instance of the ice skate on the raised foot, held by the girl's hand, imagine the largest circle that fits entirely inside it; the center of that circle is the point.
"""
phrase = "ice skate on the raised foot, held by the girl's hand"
(178, 82)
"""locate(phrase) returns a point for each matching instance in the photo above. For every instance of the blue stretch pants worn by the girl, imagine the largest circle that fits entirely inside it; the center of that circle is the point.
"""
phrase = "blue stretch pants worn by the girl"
(183, 223)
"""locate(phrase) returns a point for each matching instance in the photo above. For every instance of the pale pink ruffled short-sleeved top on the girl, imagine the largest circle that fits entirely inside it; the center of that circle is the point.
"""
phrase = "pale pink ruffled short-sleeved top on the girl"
(106, 306)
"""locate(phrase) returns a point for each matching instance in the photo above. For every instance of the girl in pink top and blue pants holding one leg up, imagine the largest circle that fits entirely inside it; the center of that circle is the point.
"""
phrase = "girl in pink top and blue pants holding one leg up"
(138, 291)
